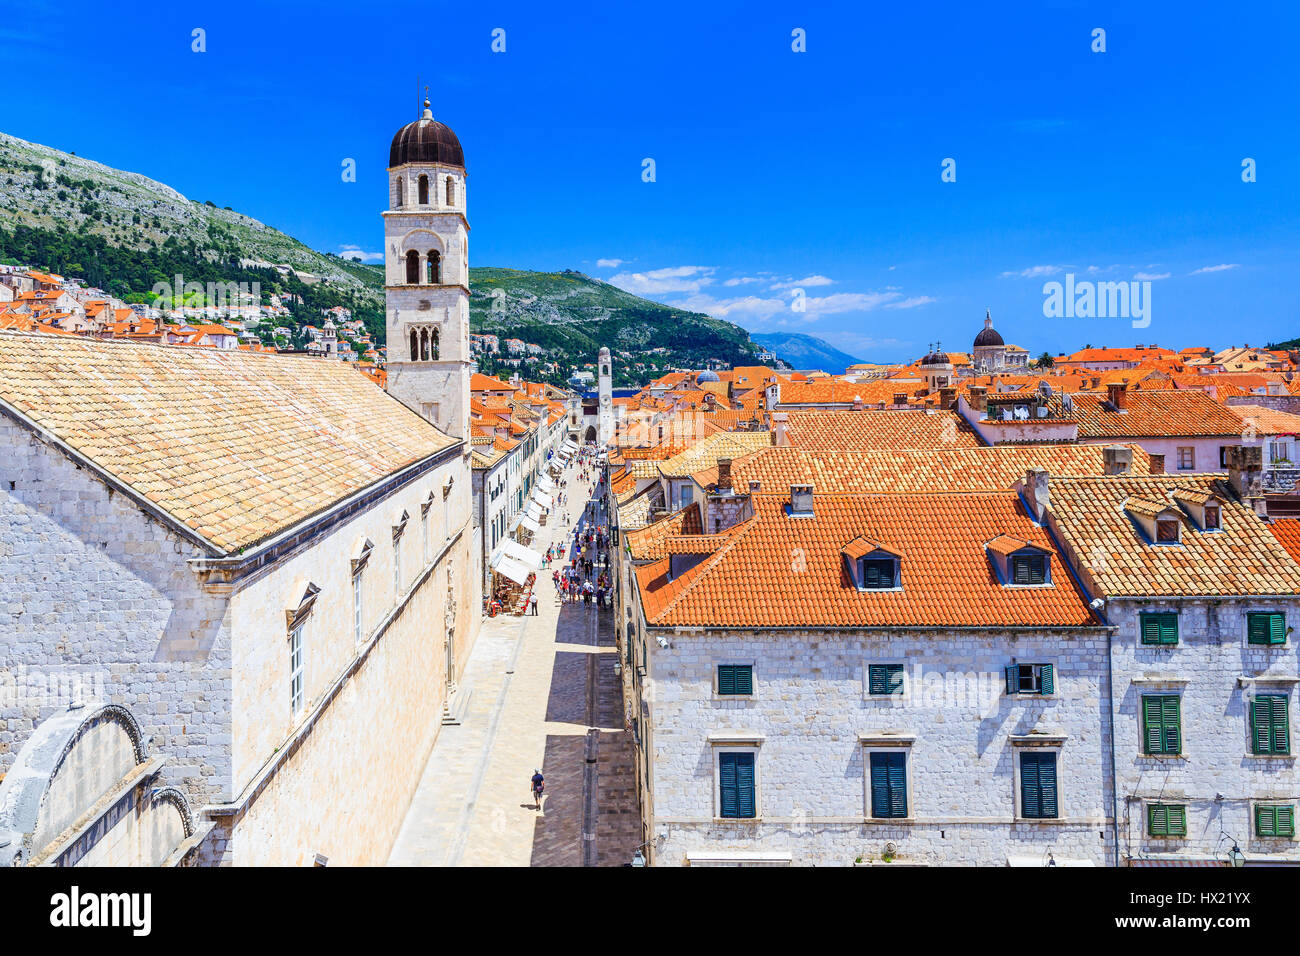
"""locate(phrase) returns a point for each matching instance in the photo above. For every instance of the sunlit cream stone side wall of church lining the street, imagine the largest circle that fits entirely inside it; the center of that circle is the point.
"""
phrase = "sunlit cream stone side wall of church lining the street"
(344, 790)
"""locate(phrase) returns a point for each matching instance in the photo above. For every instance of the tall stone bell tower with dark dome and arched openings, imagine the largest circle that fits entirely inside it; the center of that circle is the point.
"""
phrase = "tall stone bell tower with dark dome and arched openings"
(427, 275)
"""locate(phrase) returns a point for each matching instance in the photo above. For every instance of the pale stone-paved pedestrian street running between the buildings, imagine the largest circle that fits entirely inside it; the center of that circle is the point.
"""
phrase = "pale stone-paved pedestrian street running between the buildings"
(543, 697)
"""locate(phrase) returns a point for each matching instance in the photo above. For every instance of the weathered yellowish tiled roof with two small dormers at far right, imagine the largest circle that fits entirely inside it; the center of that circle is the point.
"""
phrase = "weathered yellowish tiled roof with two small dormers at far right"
(1243, 559)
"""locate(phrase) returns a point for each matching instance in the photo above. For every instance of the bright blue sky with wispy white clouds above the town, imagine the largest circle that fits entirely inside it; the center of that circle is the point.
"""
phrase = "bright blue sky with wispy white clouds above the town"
(774, 170)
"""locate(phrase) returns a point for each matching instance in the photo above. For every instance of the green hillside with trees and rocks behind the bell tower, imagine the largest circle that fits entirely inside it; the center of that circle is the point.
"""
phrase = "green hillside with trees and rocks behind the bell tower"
(124, 233)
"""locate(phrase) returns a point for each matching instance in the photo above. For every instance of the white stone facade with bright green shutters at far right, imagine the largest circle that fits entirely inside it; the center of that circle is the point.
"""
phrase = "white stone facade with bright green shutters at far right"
(1206, 669)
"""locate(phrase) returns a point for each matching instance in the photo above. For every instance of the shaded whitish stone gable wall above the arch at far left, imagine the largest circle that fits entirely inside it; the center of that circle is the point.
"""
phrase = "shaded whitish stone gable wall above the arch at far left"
(99, 595)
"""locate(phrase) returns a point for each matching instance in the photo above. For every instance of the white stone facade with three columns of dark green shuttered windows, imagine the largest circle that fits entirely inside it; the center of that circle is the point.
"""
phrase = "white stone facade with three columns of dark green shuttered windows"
(809, 710)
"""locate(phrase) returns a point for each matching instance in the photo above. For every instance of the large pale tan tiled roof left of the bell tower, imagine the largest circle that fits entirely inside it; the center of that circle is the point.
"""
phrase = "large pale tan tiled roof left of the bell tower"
(235, 445)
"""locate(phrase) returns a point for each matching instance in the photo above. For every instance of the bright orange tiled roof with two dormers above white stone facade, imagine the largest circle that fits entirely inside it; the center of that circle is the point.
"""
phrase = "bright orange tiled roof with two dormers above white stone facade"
(779, 572)
